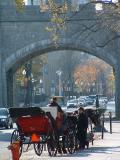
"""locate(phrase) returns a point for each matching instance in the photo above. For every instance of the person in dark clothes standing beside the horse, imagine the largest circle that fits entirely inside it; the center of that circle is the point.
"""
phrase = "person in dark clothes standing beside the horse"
(82, 126)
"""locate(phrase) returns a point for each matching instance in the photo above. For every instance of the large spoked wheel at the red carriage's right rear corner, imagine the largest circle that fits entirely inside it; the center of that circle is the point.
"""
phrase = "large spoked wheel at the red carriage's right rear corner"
(52, 144)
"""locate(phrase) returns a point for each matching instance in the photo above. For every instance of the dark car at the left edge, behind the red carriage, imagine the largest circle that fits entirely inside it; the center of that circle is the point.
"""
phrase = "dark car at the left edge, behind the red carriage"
(5, 119)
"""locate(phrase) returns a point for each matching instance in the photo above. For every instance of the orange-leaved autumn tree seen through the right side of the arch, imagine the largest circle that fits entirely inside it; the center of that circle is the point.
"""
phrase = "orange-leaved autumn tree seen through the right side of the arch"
(93, 74)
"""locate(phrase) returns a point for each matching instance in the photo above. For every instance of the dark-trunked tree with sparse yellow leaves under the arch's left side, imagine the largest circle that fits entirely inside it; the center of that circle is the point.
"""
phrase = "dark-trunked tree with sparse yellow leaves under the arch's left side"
(33, 72)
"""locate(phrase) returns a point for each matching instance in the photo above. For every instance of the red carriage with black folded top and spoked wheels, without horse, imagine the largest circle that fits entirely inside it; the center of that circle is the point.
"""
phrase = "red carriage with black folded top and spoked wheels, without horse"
(38, 127)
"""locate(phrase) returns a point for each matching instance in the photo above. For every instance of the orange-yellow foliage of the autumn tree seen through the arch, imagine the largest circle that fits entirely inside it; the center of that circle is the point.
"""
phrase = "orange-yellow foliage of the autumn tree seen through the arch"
(89, 72)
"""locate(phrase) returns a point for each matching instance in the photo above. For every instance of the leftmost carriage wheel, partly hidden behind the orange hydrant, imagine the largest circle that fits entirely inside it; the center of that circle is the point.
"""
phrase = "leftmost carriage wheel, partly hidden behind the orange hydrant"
(16, 137)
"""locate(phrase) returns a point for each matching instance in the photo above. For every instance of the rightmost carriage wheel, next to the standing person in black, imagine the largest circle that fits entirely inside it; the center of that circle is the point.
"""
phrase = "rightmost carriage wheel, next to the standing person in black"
(71, 142)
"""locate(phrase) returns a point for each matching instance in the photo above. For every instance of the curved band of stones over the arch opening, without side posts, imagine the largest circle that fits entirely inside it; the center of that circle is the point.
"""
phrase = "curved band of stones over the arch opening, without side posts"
(45, 46)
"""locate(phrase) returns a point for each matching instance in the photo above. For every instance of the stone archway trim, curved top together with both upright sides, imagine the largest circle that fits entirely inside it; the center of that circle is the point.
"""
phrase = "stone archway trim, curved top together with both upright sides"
(41, 47)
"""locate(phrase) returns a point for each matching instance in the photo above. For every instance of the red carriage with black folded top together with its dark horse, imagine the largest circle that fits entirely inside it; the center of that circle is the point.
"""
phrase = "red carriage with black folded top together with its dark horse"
(42, 126)
